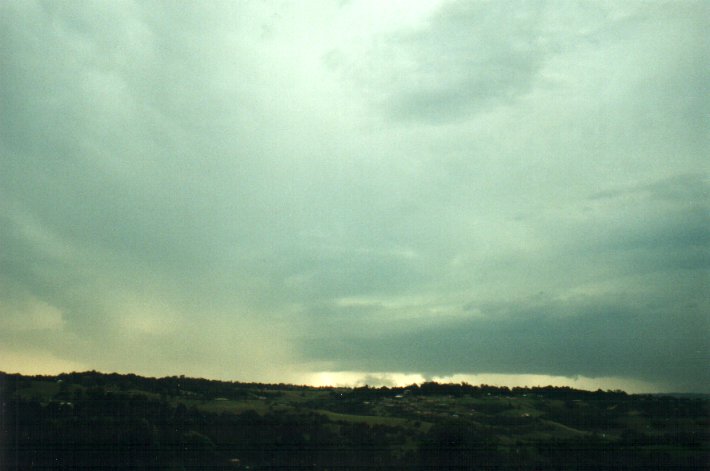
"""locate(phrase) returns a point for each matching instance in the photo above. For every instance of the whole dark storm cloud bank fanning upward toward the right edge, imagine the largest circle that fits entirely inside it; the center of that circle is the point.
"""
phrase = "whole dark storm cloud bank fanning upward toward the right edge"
(649, 323)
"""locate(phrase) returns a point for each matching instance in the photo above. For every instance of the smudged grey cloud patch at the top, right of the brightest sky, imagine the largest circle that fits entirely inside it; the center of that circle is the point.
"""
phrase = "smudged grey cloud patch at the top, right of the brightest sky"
(469, 57)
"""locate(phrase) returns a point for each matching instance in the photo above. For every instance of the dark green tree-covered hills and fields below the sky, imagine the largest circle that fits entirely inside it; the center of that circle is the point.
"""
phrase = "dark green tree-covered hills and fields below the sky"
(95, 420)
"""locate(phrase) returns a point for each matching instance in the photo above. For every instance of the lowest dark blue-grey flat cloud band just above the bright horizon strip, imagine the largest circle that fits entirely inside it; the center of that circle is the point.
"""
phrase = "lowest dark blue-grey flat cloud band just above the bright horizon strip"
(590, 339)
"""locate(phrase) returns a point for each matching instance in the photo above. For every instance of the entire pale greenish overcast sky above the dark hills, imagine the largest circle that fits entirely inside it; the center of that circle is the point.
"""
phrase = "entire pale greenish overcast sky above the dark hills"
(358, 192)
